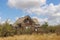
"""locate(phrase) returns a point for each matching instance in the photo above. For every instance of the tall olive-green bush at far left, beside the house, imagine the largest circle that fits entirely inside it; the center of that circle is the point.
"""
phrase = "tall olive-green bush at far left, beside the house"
(6, 30)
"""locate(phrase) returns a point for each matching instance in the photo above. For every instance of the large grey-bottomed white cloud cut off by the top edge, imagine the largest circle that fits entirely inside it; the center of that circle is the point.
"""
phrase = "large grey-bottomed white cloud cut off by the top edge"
(25, 3)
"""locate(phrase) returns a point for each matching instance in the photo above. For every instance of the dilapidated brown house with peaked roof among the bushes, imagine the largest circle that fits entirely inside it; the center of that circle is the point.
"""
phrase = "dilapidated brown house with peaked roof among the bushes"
(28, 23)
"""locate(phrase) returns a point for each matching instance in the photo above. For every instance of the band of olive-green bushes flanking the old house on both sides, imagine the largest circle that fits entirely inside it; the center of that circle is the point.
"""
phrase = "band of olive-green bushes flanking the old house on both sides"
(7, 30)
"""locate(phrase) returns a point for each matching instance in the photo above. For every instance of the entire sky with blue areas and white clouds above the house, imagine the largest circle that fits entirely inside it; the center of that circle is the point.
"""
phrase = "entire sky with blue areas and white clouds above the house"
(42, 10)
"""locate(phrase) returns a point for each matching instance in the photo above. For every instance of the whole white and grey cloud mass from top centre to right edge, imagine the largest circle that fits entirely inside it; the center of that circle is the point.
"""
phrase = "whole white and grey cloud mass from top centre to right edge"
(39, 7)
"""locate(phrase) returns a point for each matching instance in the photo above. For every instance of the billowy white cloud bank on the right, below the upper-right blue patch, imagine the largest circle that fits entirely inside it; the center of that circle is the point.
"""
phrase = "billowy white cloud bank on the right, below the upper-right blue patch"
(52, 12)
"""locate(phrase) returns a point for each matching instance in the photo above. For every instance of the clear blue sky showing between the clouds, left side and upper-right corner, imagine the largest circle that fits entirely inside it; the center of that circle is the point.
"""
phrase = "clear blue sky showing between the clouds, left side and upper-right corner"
(7, 12)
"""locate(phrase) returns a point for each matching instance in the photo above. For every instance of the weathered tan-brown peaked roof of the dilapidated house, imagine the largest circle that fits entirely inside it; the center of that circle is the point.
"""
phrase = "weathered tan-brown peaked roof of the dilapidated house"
(28, 18)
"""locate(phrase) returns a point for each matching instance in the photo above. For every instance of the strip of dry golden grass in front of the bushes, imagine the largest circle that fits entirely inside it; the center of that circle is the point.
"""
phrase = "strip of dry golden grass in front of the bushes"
(33, 37)
